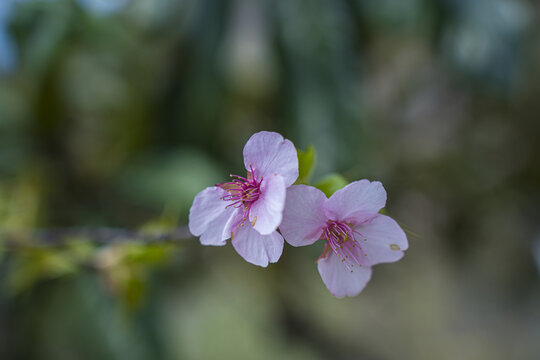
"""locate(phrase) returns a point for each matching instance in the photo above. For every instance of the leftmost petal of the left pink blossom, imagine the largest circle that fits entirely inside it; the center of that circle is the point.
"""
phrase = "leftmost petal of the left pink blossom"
(207, 207)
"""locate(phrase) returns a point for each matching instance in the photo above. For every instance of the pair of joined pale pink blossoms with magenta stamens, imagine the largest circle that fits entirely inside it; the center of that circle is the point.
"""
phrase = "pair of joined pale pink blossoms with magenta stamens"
(260, 210)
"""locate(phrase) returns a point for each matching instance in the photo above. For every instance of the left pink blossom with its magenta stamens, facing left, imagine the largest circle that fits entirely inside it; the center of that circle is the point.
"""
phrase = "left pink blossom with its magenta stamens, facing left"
(249, 209)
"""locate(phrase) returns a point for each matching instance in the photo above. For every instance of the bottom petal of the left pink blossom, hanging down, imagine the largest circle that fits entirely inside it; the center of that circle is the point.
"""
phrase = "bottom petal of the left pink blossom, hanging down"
(256, 248)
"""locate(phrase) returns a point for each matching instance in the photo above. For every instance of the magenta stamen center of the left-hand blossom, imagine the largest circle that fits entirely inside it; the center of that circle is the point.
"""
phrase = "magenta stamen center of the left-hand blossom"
(242, 192)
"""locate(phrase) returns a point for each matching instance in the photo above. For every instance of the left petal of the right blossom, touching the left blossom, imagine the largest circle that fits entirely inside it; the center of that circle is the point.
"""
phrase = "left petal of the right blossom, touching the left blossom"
(303, 217)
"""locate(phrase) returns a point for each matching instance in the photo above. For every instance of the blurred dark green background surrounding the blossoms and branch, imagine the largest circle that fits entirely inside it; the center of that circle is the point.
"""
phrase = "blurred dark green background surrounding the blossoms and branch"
(117, 112)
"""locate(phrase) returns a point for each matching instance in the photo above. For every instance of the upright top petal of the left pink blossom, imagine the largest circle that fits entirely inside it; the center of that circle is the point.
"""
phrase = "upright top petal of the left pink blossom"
(268, 153)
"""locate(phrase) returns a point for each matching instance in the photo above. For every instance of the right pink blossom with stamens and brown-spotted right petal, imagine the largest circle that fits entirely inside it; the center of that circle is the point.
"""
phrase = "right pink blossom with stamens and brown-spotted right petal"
(357, 236)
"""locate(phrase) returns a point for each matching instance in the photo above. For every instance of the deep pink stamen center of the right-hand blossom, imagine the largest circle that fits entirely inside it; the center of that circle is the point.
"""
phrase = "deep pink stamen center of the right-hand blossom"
(340, 237)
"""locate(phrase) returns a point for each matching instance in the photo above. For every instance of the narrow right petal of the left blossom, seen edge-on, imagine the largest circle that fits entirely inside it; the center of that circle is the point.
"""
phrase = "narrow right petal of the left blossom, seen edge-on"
(265, 214)
